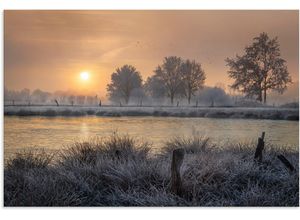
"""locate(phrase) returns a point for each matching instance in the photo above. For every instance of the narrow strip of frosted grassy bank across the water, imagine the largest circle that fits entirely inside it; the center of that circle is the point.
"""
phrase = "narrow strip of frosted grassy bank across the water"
(216, 112)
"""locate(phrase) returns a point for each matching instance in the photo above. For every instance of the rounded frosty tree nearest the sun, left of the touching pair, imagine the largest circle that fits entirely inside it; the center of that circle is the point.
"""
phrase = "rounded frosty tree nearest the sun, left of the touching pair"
(123, 82)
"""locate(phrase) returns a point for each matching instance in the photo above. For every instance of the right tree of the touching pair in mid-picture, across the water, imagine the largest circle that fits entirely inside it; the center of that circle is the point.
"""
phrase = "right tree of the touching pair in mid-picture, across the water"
(193, 78)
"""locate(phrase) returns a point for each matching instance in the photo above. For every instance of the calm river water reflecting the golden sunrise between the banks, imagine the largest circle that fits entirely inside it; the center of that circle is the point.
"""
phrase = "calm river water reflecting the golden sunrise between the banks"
(54, 133)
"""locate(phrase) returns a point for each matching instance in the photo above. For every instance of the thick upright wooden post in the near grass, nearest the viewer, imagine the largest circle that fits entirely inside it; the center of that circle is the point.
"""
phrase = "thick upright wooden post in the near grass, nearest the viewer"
(176, 183)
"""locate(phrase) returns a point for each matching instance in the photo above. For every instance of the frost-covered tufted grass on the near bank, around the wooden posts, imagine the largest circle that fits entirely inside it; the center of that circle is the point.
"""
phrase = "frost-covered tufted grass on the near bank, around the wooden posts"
(119, 171)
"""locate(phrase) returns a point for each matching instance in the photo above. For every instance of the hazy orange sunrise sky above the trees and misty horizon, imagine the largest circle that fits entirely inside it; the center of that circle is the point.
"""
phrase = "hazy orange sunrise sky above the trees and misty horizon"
(49, 49)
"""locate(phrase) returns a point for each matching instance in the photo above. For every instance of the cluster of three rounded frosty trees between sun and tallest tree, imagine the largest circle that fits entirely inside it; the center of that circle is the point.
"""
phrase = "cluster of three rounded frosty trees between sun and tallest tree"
(175, 77)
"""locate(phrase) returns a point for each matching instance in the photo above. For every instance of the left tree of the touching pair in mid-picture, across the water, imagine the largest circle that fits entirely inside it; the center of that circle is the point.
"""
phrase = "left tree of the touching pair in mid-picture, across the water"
(170, 74)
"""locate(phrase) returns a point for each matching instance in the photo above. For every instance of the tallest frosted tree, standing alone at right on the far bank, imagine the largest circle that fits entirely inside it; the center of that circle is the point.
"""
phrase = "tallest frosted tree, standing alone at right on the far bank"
(260, 69)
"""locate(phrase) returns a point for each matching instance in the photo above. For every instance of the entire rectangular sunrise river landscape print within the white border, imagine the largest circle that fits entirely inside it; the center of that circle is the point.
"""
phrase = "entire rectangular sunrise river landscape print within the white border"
(151, 108)
